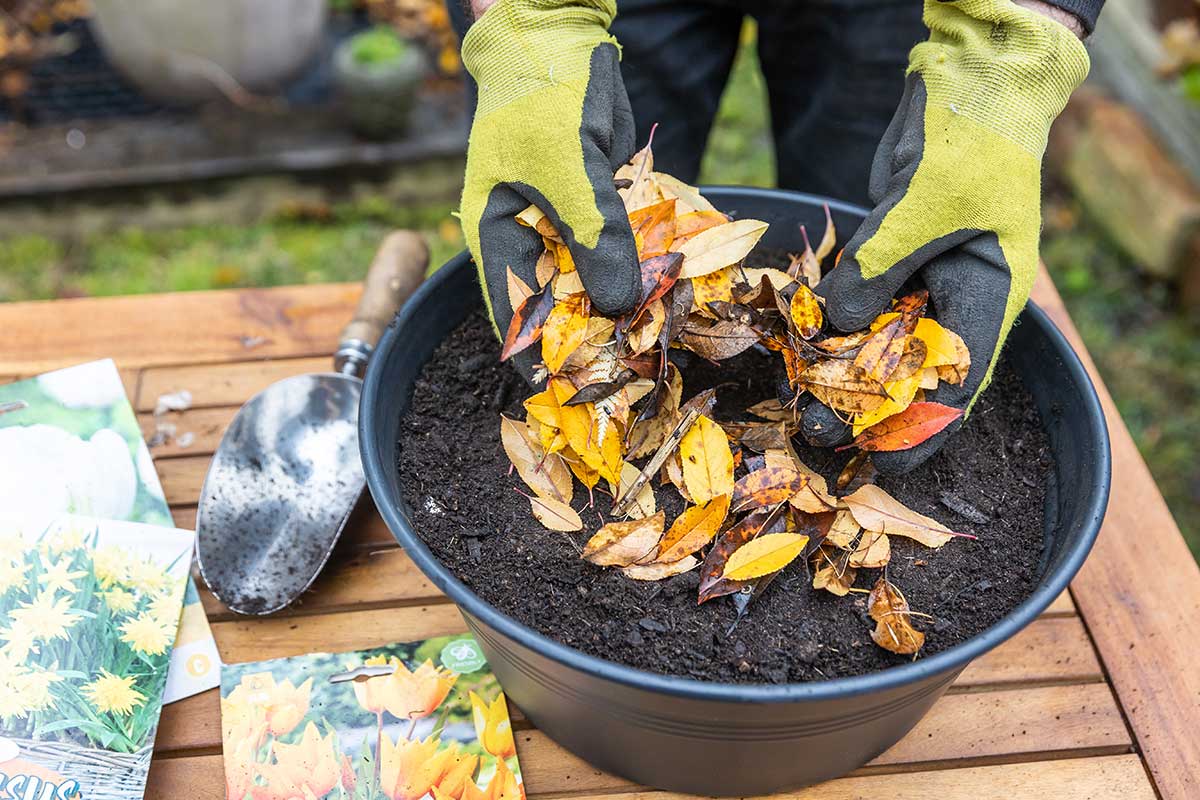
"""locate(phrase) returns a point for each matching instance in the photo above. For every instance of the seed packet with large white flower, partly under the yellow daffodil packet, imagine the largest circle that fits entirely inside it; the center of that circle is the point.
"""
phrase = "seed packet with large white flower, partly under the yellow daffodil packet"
(70, 443)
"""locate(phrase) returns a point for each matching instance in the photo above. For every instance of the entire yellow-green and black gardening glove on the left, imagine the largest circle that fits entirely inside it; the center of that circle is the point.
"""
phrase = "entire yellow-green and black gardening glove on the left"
(551, 128)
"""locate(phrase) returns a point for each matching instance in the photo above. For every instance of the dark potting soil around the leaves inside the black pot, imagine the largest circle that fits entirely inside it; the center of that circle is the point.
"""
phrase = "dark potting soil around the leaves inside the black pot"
(989, 480)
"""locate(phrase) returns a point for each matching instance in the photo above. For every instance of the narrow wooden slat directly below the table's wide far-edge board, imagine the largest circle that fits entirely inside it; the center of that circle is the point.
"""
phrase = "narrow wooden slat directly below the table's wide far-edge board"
(227, 384)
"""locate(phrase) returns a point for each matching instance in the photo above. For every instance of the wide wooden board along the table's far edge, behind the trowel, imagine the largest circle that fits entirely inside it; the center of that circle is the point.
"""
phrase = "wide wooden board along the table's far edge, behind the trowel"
(185, 328)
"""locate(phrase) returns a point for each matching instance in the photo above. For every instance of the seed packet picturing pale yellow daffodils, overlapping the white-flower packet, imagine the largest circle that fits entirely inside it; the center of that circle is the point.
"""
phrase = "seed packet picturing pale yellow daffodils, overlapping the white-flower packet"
(89, 610)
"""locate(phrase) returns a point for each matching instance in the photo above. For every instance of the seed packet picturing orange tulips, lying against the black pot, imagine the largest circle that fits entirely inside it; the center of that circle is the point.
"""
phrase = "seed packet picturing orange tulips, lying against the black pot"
(417, 721)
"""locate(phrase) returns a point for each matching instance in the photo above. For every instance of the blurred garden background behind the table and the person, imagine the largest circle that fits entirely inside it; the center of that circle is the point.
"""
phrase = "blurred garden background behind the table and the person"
(160, 146)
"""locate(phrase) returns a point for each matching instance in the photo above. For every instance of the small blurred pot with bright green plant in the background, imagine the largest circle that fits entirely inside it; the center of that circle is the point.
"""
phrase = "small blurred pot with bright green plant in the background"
(377, 75)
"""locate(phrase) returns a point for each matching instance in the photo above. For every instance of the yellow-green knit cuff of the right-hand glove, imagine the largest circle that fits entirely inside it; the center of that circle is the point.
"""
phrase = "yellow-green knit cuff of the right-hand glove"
(1009, 69)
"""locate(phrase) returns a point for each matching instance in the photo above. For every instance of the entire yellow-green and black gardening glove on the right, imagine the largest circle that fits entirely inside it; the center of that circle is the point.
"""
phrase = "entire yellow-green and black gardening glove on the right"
(957, 183)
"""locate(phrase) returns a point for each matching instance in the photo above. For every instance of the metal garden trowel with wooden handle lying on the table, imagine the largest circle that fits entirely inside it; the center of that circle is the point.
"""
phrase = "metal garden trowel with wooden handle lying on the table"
(287, 473)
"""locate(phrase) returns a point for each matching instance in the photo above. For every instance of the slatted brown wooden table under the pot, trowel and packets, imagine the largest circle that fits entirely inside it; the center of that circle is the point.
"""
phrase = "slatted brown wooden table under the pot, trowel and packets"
(1099, 699)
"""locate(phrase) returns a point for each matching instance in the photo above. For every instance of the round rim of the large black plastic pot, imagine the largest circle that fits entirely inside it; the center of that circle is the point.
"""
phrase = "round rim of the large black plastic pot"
(689, 688)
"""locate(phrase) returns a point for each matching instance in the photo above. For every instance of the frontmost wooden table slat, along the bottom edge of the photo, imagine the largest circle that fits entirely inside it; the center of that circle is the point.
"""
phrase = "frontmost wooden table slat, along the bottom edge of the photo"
(1105, 778)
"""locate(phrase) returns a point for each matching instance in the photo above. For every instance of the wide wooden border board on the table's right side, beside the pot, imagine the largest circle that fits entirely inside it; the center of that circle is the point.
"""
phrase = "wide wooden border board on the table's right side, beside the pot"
(1141, 596)
